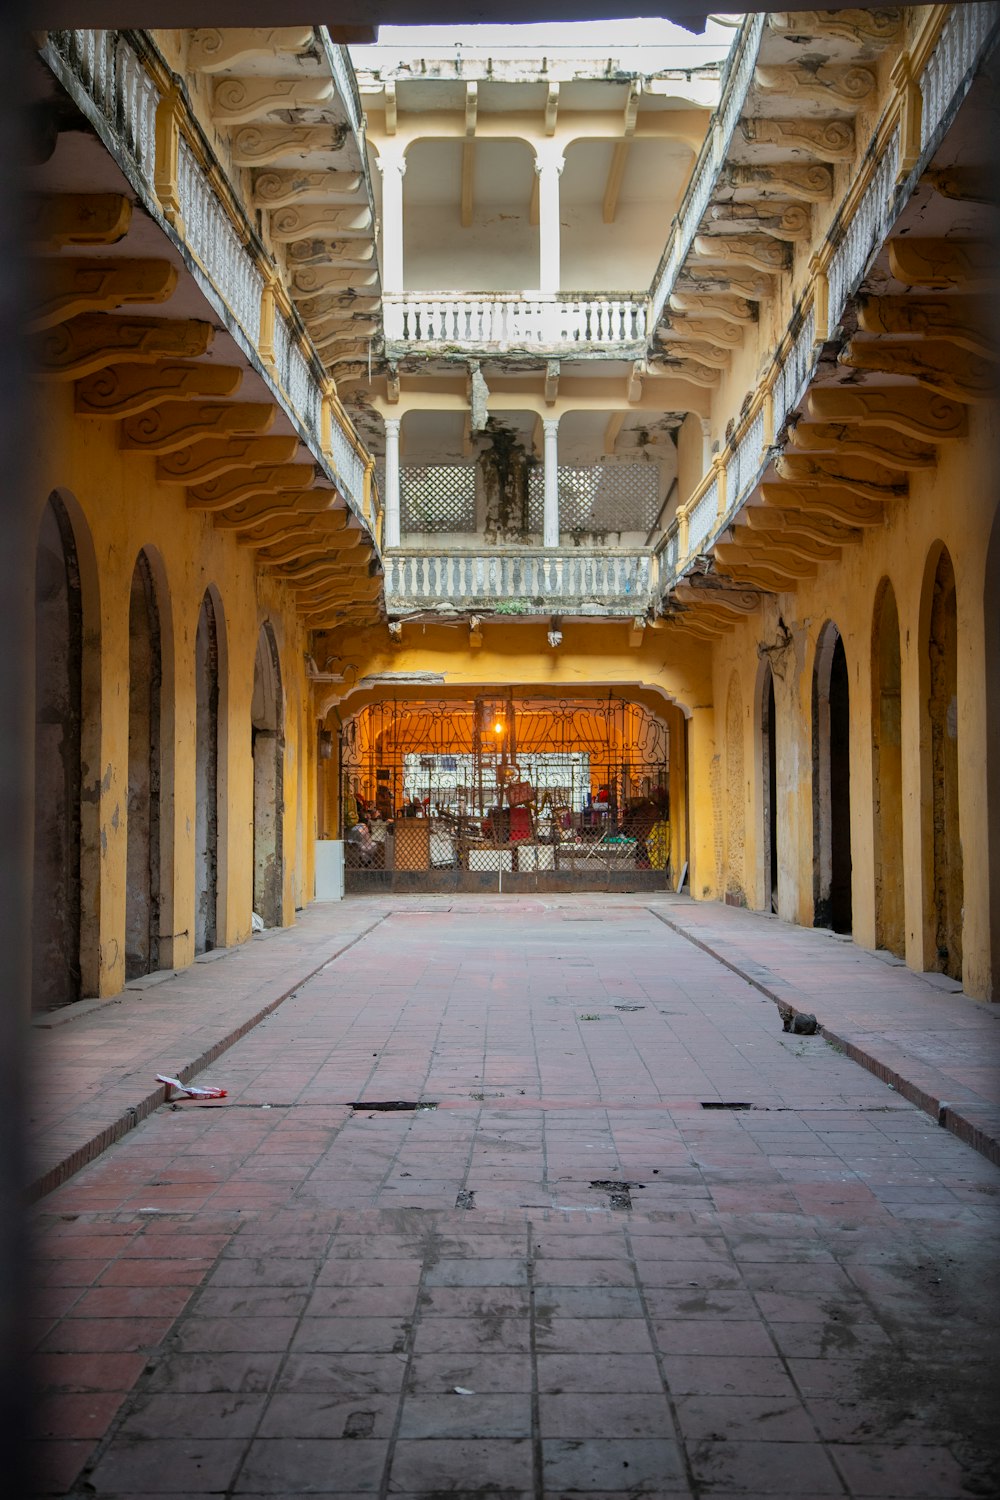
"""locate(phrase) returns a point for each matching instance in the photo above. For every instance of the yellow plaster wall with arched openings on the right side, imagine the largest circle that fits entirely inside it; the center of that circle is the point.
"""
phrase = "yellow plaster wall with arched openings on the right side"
(954, 505)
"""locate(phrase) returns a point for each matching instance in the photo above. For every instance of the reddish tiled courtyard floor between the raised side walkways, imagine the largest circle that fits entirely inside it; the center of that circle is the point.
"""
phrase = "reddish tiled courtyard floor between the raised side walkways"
(567, 1277)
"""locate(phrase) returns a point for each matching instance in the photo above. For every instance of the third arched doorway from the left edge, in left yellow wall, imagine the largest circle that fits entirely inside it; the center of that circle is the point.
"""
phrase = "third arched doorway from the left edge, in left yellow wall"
(206, 776)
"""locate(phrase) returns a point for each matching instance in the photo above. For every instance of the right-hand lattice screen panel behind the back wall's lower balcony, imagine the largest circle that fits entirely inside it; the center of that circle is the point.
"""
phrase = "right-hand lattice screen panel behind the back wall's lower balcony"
(602, 497)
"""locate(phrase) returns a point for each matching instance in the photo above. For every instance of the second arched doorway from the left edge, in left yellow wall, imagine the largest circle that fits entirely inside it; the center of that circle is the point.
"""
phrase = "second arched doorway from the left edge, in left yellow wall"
(143, 869)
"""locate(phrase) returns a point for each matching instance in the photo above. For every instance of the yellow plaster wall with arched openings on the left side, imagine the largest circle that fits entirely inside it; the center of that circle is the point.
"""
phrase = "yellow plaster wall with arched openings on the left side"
(118, 509)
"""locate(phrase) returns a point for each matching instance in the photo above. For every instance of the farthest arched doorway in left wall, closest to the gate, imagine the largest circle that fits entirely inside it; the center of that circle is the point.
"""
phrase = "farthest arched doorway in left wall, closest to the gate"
(268, 739)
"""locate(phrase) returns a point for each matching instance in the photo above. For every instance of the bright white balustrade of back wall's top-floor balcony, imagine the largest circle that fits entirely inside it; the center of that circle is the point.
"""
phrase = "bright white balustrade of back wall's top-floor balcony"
(507, 322)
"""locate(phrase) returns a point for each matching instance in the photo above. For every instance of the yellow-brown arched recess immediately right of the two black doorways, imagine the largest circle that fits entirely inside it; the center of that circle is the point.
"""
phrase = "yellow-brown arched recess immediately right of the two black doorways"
(888, 772)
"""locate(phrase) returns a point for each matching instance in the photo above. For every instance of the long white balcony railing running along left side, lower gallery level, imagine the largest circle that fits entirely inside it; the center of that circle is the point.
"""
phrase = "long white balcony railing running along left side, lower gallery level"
(121, 85)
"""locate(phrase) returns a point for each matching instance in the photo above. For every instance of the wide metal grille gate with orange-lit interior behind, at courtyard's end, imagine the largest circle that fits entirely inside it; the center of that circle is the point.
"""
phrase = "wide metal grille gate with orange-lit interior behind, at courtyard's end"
(506, 794)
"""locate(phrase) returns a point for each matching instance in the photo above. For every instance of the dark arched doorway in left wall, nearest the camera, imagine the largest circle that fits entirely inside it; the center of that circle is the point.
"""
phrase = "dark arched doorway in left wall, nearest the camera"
(56, 923)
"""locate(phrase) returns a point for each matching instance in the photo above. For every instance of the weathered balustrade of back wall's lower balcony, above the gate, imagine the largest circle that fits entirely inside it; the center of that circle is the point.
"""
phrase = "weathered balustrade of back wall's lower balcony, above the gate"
(521, 583)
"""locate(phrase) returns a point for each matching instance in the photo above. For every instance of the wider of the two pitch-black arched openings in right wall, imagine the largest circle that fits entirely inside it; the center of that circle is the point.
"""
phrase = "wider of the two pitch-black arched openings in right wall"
(831, 785)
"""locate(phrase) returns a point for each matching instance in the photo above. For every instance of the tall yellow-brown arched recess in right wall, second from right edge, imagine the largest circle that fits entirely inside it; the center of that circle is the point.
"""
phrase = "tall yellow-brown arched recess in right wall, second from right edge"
(945, 893)
